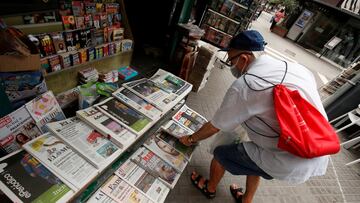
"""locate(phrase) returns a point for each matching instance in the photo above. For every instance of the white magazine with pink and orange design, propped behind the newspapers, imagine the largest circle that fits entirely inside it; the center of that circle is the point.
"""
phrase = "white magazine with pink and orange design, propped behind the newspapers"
(45, 109)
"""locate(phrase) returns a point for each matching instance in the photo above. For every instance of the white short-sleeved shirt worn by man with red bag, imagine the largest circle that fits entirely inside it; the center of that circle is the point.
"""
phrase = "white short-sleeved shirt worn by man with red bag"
(241, 104)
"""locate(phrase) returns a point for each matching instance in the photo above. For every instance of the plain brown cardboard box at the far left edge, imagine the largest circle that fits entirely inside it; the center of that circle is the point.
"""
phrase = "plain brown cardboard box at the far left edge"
(12, 63)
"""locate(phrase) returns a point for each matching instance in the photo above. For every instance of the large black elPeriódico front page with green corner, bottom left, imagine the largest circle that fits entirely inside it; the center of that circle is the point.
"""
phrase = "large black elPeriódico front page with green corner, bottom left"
(20, 172)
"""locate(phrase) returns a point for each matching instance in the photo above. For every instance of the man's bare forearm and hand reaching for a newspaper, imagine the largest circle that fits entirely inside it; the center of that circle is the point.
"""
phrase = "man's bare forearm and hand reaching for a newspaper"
(207, 130)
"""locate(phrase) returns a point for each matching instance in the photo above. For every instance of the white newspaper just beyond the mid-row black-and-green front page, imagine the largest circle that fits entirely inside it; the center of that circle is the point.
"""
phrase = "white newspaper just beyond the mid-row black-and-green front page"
(138, 103)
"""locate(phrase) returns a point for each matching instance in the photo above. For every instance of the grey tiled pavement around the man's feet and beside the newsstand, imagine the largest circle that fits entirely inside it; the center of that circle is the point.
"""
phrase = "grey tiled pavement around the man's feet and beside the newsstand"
(340, 184)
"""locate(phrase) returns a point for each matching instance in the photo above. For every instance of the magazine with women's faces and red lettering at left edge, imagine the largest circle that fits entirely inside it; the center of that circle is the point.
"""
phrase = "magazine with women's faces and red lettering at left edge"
(16, 129)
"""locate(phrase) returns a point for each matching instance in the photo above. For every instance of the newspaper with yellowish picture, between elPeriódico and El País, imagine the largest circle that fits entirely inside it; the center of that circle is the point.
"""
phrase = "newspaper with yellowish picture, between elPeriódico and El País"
(71, 168)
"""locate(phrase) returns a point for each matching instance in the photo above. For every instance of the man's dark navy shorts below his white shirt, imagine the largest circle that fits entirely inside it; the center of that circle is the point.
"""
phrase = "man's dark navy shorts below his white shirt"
(235, 160)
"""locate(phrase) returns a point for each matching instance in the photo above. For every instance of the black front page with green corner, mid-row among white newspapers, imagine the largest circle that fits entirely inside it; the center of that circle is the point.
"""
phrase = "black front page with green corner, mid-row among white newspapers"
(122, 112)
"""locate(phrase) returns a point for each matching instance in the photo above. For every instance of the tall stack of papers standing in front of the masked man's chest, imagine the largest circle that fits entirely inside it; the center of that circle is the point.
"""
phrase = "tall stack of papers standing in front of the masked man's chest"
(202, 68)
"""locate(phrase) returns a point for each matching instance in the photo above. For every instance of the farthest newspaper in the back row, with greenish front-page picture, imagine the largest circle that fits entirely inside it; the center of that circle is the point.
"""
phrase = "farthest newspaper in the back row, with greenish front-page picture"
(171, 83)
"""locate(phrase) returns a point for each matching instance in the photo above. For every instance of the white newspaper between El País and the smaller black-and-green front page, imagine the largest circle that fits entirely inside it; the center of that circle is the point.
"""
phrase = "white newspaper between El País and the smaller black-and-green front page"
(107, 126)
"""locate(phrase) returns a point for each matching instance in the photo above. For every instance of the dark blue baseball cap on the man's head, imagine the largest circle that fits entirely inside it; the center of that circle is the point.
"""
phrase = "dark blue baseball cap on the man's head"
(248, 40)
